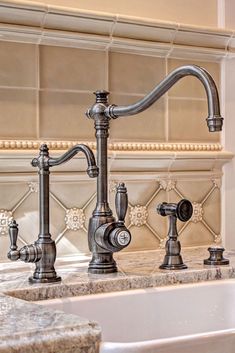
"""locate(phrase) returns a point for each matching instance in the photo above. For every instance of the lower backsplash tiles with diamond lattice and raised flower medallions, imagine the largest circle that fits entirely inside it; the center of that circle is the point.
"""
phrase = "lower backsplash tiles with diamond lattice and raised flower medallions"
(72, 202)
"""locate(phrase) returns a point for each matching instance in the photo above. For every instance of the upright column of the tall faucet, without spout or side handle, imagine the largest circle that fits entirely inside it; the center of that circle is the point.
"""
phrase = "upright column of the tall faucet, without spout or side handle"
(102, 259)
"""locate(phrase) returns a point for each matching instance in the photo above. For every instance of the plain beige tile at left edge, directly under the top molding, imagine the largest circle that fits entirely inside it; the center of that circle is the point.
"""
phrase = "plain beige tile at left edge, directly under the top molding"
(17, 64)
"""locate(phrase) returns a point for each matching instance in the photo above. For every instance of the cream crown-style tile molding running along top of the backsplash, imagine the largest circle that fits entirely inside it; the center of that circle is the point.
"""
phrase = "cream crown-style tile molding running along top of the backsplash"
(38, 23)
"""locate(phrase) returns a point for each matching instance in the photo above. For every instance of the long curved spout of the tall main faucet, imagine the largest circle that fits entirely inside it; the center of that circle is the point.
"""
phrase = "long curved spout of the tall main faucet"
(214, 119)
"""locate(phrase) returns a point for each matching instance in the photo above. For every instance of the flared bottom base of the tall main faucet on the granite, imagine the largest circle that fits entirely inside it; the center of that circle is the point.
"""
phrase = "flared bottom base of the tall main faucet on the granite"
(102, 263)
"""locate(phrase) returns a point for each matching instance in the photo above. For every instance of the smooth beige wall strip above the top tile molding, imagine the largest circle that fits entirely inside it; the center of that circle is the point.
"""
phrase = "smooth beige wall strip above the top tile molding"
(187, 11)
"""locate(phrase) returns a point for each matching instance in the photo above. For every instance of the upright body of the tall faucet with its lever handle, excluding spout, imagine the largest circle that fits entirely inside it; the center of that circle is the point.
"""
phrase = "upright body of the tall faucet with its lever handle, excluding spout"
(105, 234)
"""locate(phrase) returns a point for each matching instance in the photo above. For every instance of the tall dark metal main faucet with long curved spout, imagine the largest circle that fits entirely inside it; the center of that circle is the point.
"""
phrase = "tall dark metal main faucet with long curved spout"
(102, 247)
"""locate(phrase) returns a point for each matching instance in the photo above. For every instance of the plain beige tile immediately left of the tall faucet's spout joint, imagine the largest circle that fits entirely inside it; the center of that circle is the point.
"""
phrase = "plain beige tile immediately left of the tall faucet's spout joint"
(62, 116)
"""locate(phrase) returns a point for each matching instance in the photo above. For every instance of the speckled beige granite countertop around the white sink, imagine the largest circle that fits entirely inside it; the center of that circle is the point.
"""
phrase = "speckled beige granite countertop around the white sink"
(26, 327)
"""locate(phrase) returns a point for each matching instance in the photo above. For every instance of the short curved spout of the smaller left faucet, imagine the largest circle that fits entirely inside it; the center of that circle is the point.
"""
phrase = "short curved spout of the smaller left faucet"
(92, 169)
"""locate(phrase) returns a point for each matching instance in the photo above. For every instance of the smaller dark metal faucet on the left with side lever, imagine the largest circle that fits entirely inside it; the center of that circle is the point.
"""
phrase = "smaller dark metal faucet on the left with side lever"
(43, 251)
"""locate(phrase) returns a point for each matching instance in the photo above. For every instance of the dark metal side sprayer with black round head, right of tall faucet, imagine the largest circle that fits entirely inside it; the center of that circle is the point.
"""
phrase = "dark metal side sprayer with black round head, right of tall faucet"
(183, 211)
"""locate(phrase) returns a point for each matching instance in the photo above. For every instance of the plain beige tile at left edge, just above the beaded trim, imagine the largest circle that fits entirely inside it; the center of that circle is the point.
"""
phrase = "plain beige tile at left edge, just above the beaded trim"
(18, 113)
